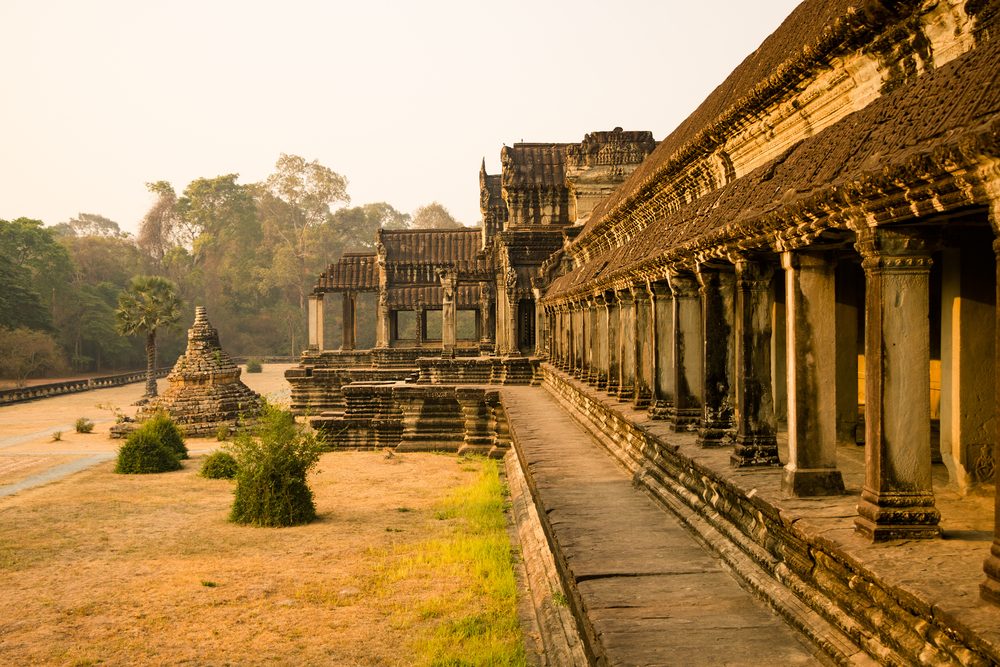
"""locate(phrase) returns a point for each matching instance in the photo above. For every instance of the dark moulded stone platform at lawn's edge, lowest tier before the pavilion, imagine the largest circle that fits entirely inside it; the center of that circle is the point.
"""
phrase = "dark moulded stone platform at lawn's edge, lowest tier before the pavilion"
(408, 418)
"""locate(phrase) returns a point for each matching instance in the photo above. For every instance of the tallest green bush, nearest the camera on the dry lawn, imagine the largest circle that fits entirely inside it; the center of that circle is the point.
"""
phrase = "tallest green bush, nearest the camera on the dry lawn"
(273, 460)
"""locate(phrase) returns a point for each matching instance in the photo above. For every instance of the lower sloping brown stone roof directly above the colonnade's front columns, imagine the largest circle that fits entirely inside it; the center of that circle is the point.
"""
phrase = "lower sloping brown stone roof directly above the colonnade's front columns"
(916, 136)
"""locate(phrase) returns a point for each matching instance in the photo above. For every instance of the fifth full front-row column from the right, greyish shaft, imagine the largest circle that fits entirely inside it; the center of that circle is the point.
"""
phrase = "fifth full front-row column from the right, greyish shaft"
(688, 351)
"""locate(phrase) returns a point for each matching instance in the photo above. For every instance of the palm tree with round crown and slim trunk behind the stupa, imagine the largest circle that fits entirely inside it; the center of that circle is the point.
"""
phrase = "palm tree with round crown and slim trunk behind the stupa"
(149, 302)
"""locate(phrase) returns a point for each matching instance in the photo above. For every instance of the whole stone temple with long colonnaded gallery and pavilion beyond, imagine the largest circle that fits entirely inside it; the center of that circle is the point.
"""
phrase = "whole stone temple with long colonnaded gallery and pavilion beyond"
(800, 278)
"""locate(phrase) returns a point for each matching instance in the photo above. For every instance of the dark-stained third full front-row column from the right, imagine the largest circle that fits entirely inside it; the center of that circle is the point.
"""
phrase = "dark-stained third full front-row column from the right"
(756, 424)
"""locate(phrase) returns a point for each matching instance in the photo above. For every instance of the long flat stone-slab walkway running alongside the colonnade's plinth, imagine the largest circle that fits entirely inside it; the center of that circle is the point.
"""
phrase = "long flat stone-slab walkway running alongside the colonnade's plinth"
(652, 595)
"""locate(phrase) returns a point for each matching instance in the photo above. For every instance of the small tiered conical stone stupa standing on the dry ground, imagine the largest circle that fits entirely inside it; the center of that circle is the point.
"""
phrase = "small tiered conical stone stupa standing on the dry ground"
(204, 388)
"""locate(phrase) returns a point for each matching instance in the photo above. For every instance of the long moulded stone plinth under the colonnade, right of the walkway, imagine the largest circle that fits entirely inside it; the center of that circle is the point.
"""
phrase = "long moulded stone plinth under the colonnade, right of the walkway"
(818, 586)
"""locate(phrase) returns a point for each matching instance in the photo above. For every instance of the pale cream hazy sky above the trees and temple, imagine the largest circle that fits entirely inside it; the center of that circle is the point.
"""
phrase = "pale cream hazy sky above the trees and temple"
(402, 98)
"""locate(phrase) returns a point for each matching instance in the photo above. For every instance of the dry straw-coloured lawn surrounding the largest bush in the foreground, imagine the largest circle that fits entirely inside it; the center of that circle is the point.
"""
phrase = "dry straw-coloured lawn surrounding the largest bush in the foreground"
(115, 569)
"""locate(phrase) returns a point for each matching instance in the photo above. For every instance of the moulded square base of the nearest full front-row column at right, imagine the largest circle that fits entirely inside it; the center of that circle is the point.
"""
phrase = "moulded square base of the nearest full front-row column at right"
(897, 516)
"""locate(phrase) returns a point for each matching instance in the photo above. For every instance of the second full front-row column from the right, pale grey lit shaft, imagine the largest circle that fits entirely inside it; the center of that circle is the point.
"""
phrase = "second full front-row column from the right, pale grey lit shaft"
(811, 342)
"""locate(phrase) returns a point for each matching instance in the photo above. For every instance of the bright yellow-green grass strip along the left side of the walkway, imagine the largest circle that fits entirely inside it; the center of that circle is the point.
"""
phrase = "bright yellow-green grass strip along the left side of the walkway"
(473, 621)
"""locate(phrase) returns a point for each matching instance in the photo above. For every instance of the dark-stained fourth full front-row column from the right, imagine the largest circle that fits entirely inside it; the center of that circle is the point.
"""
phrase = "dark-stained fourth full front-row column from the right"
(716, 291)
